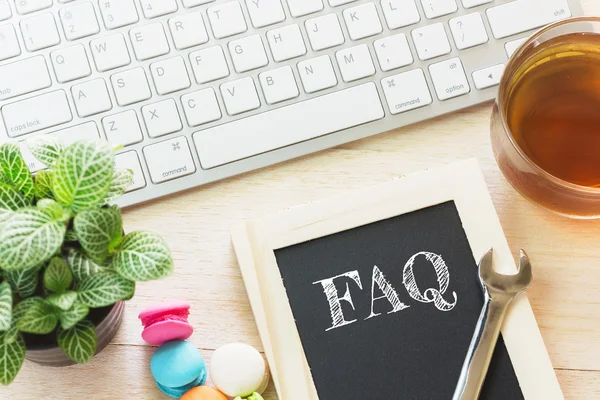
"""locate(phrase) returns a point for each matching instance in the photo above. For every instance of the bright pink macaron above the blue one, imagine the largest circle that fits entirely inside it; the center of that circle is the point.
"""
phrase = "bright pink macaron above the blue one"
(166, 322)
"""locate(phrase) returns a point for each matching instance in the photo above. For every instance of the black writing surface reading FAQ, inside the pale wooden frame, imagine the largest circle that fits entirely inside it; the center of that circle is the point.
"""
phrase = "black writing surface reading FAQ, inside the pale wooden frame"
(415, 352)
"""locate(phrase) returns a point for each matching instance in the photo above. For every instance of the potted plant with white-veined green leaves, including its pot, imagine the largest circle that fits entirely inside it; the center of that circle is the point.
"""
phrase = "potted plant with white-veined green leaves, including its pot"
(65, 264)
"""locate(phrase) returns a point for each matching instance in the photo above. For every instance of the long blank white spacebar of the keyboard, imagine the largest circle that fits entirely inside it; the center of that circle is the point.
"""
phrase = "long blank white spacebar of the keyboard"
(288, 125)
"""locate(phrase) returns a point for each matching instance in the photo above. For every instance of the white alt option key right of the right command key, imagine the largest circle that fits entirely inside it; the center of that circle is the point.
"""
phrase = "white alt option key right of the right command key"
(449, 79)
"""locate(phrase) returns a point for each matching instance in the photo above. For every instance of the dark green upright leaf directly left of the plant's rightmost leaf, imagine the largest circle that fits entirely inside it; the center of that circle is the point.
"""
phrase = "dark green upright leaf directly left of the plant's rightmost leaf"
(99, 231)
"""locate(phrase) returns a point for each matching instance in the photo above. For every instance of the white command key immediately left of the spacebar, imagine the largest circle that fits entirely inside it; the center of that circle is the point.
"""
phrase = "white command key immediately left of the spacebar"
(169, 160)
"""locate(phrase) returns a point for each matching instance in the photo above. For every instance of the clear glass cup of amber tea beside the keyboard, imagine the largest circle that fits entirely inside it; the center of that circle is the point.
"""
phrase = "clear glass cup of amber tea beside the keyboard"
(545, 126)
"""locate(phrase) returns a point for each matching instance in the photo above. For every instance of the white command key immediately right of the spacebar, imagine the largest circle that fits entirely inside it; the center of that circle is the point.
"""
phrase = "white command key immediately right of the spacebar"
(406, 91)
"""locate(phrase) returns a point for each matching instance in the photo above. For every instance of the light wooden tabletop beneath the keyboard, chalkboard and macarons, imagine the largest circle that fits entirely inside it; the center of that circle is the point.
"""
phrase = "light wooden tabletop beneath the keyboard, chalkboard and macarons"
(566, 256)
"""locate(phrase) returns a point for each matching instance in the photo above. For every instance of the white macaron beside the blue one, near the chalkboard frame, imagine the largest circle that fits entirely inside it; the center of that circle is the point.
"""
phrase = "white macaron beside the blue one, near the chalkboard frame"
(239, 370)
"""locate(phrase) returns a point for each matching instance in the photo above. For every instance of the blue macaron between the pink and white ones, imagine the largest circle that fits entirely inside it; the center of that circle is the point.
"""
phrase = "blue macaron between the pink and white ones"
(177, 366)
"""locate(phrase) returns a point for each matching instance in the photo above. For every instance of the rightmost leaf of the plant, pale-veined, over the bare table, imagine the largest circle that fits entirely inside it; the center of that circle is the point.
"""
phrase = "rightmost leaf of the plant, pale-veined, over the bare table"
(143, 256)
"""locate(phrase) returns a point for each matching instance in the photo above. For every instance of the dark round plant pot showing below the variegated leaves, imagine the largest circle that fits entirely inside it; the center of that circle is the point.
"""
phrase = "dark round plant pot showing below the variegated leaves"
(44, 349)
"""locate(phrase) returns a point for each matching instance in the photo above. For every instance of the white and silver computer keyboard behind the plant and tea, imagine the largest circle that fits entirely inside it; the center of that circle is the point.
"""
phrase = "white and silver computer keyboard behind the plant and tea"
(199, 90)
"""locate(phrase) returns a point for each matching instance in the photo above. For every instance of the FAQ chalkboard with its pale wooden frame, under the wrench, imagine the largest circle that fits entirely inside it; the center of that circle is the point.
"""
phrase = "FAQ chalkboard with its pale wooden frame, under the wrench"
(374, 294)
